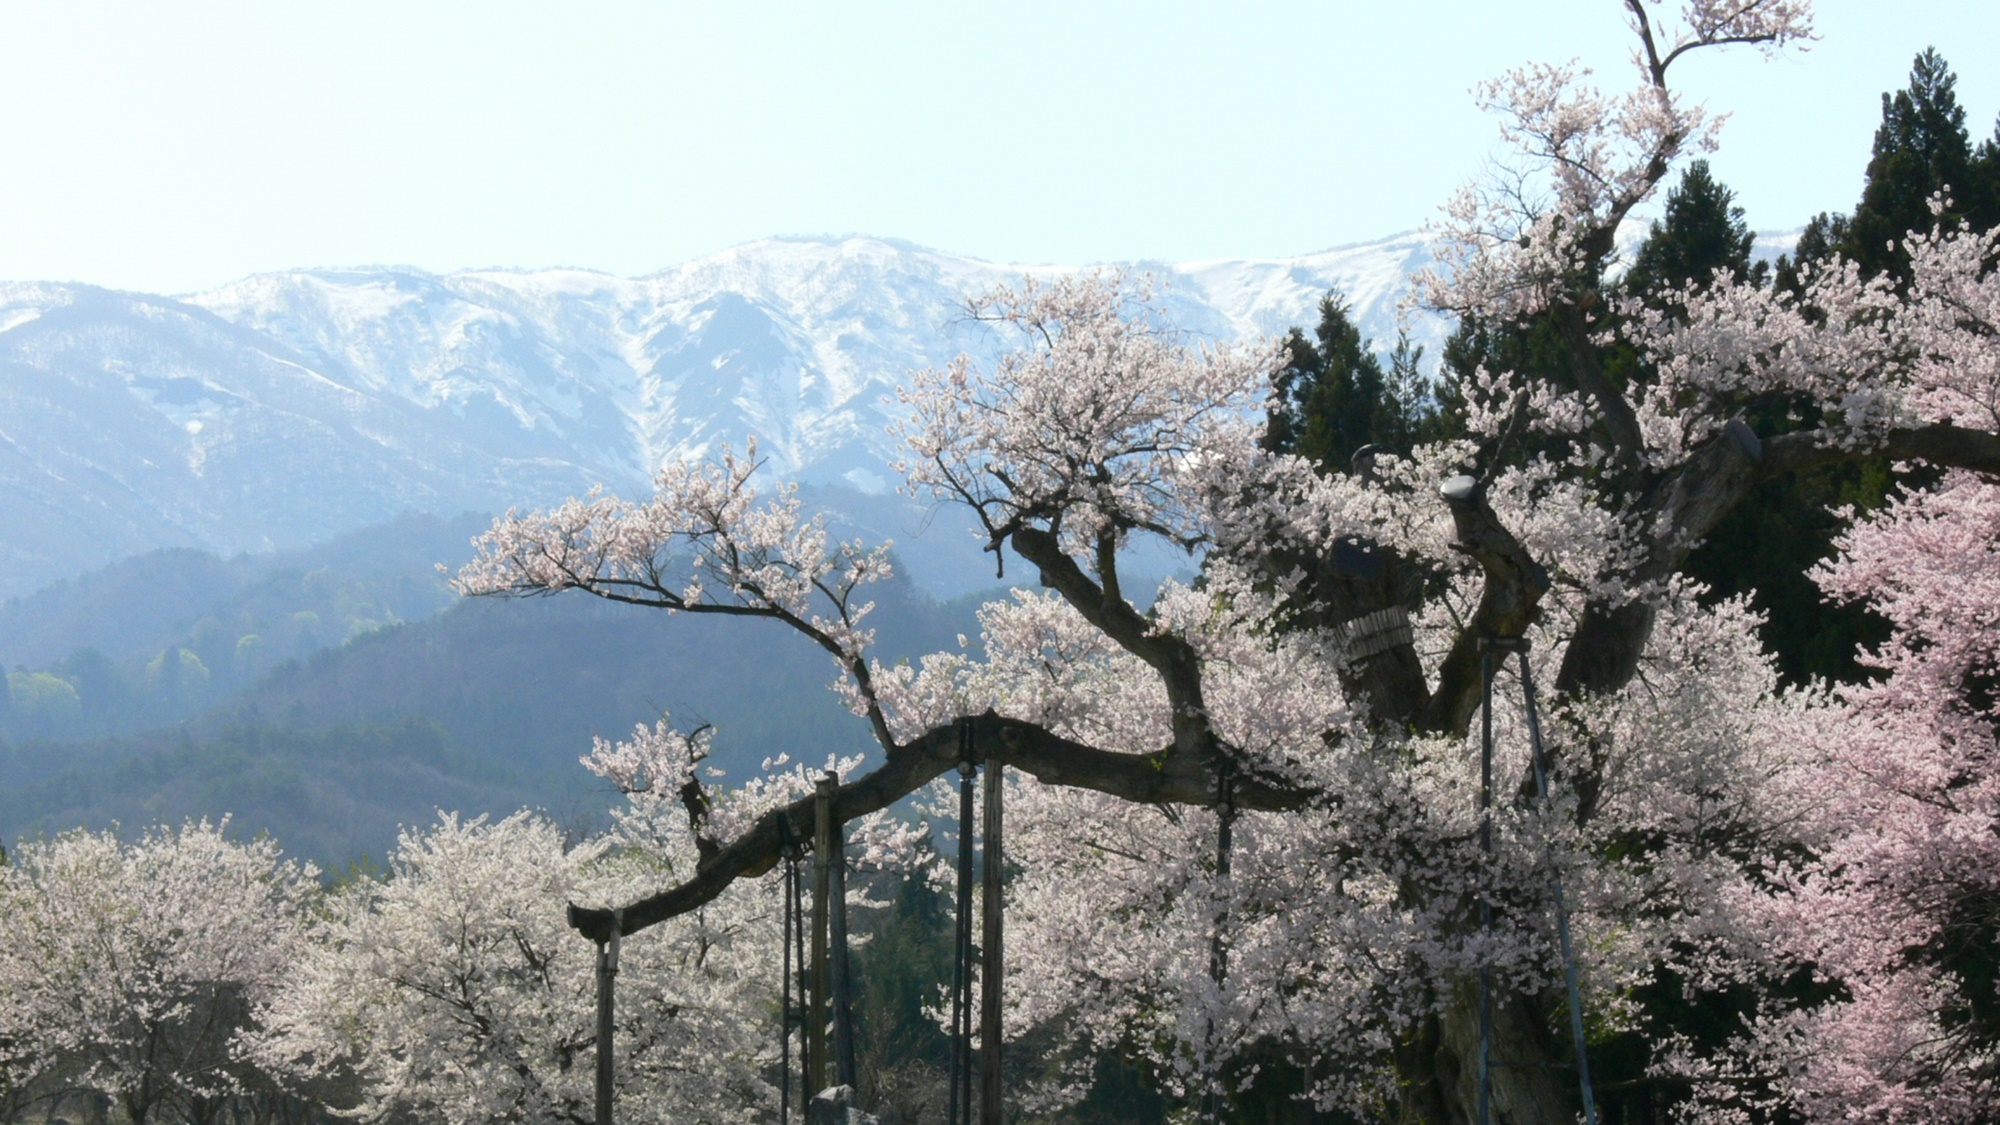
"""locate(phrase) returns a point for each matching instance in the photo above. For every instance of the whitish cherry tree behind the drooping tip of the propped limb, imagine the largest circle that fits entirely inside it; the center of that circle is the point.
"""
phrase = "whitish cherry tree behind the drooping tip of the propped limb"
(455, 992)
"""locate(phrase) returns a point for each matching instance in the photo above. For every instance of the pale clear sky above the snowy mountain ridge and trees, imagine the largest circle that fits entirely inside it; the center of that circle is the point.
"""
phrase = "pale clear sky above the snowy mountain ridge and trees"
(177, 147)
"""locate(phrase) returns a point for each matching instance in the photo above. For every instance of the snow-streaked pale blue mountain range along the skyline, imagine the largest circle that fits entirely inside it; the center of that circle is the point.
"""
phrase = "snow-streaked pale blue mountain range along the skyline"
(289, 407)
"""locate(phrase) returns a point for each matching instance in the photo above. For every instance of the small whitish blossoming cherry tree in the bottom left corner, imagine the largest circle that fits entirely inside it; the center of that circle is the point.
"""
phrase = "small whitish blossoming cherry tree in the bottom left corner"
(131, 970)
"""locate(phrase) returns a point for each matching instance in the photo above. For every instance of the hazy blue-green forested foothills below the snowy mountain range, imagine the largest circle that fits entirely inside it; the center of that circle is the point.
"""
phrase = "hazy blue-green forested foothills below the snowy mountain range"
(479, 710)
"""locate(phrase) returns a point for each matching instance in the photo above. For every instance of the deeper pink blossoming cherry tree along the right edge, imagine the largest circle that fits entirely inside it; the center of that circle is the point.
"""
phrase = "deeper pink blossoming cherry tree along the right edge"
(1899, 906)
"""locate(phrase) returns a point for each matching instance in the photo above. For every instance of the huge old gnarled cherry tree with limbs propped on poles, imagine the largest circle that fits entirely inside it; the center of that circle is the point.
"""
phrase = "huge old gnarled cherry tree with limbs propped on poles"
(1317, 690)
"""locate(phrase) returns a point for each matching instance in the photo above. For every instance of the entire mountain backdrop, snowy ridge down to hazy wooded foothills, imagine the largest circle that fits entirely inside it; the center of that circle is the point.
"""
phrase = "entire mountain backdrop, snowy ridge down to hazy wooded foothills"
(327, 421)
